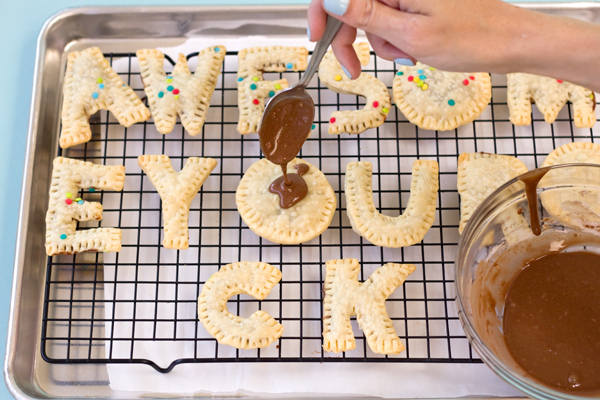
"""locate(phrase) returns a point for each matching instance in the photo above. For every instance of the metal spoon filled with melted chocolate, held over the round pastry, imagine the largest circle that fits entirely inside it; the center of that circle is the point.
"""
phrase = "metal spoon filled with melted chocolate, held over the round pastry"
(280, 137)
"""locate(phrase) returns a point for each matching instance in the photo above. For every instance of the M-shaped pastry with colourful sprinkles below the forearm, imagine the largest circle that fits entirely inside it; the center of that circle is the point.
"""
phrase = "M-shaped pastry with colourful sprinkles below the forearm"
(549, 95)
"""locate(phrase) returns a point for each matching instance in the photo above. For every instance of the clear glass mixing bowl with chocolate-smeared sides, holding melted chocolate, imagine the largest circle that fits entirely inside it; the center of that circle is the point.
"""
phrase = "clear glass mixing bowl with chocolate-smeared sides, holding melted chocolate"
(569, 203)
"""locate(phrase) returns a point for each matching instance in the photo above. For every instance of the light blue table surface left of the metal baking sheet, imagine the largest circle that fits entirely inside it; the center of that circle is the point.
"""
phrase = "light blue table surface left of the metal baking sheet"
(20, 24)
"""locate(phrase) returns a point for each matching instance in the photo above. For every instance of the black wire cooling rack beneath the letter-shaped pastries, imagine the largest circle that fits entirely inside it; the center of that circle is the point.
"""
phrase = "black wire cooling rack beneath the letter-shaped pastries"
(122, 307)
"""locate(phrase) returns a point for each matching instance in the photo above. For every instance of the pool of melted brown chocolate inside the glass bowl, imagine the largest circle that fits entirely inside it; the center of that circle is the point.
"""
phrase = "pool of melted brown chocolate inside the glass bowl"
(551, 320)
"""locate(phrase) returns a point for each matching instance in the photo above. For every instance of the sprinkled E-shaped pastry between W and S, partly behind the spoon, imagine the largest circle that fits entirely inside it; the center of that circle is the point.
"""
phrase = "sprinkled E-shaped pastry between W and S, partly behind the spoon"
(253, 89)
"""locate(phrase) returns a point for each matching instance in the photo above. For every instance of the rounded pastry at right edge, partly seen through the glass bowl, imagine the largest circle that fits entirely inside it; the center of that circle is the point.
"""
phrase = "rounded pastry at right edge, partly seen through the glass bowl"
(576, 152)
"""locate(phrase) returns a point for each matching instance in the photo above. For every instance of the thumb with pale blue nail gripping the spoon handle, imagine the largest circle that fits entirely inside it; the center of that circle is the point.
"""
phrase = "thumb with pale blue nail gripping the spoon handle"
(371, 16)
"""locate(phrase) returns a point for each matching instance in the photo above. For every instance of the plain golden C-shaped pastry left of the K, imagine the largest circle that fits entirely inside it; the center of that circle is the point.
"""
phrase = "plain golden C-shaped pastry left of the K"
(255, 279)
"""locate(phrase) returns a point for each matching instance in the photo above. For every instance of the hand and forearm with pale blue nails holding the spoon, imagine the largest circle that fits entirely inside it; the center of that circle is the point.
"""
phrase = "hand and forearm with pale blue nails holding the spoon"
(464, 36)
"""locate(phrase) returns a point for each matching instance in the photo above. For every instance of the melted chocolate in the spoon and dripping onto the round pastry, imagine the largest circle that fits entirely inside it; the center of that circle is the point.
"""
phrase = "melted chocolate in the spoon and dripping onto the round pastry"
(282, 135)
